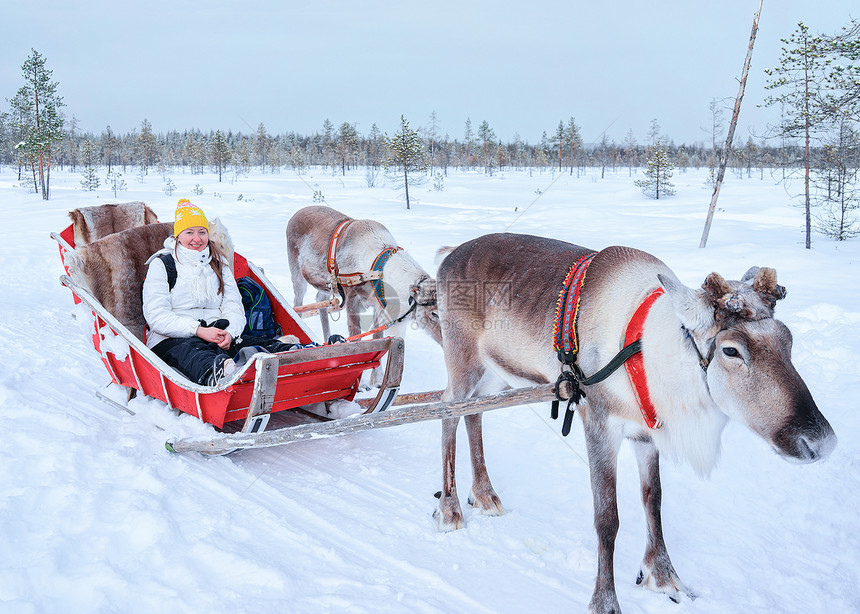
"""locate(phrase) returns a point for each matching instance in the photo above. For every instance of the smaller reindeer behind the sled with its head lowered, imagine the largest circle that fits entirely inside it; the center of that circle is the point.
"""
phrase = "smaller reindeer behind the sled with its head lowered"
(406, 287)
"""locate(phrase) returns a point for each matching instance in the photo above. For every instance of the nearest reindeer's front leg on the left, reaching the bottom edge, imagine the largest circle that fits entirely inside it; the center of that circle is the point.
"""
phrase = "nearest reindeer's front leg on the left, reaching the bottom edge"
(602, 448)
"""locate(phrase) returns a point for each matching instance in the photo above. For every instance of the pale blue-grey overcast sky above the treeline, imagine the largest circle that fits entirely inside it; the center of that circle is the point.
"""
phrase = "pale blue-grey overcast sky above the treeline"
(521, 66)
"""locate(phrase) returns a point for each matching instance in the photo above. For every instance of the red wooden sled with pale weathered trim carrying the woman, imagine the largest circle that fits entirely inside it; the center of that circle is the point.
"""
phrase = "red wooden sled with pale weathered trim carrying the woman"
(271, 383)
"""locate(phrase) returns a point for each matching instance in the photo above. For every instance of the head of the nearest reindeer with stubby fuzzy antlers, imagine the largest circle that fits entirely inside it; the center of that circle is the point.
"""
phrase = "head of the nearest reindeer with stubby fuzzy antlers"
(747, 361)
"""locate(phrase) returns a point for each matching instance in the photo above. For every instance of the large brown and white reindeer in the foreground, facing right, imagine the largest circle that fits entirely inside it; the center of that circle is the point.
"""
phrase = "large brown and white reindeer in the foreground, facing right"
(708, 355)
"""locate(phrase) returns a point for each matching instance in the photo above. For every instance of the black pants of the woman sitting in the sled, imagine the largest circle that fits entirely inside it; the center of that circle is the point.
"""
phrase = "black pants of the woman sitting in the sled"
(198, 360)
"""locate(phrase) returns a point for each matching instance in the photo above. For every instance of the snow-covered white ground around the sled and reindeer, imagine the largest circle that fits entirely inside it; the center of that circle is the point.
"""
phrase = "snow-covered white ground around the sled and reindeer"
(95, 515)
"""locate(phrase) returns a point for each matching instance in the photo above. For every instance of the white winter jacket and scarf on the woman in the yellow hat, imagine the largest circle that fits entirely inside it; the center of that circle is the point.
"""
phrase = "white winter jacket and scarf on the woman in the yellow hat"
(177, 312)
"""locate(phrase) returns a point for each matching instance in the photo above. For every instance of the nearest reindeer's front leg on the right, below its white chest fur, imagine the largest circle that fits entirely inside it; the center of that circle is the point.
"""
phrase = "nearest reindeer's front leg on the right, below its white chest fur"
(656, 573)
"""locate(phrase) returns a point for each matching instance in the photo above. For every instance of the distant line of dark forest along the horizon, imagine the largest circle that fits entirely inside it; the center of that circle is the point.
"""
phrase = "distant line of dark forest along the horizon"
(342, 149)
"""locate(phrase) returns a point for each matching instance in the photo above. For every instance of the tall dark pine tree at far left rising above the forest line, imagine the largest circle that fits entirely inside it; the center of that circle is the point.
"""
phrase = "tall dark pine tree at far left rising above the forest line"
(39, 107)
